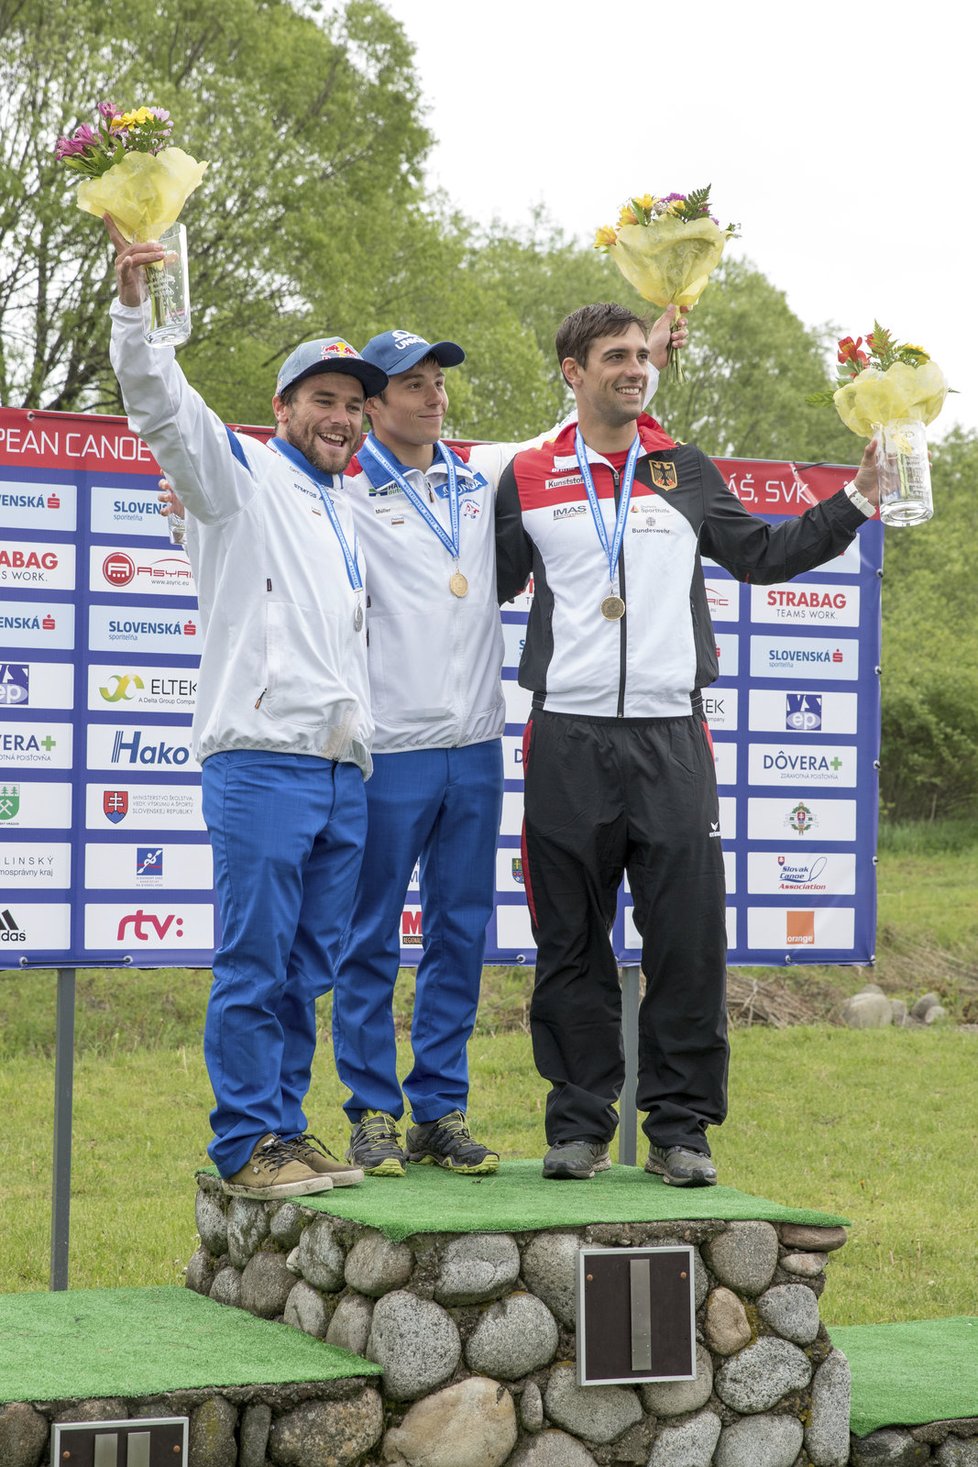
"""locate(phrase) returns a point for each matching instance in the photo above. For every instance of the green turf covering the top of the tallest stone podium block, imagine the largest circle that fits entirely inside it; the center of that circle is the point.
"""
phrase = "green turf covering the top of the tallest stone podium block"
(518, 1199)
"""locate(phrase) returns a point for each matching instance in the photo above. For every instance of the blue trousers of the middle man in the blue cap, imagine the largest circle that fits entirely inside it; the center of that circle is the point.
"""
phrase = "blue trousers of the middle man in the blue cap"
(439, 808)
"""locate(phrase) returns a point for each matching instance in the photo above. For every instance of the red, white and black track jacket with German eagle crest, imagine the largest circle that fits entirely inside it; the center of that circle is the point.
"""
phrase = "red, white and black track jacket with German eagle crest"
(656, 659)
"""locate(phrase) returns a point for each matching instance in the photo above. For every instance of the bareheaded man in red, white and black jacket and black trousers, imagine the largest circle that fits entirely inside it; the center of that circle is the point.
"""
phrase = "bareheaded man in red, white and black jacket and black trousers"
(619, 777)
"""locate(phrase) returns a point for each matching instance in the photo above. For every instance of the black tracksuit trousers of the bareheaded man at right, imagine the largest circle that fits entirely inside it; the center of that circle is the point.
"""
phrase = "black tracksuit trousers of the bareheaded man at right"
(605, 797)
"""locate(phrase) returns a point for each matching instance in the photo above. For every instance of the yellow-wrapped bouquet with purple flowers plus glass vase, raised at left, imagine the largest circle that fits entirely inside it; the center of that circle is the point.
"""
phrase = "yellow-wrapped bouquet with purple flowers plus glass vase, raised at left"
(131, 172)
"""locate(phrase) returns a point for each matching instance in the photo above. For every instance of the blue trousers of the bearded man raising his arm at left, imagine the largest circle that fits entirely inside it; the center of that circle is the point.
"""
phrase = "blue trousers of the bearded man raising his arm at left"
(288, 833)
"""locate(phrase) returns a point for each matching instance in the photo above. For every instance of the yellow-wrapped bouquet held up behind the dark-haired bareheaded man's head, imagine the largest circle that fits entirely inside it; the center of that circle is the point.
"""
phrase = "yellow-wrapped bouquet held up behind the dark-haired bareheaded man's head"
(668, 249)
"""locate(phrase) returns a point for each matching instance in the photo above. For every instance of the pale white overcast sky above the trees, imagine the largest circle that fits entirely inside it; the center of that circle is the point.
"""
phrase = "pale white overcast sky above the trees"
(841, 137)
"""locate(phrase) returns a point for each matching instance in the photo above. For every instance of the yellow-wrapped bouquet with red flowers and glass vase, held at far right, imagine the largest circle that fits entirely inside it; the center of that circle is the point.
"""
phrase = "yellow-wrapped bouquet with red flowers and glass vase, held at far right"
(891, 392)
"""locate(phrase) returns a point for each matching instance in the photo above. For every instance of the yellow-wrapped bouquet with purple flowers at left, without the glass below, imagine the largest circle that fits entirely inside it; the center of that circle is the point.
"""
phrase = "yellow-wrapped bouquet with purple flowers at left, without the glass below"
(131, 171)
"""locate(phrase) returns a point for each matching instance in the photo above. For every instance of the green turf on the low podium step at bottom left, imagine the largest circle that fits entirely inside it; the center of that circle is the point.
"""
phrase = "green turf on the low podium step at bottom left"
(144, 1342)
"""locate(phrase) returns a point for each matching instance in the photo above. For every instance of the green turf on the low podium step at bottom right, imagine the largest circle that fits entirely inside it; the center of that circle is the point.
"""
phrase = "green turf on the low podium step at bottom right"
(910, 1374)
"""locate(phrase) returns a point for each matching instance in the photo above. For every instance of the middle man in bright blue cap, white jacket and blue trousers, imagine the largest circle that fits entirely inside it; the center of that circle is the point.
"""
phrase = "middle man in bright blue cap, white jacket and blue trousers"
(424, 513)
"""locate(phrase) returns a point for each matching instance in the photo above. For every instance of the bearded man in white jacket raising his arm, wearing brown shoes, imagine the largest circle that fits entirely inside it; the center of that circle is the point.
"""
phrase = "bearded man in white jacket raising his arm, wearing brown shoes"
(282, 724)
